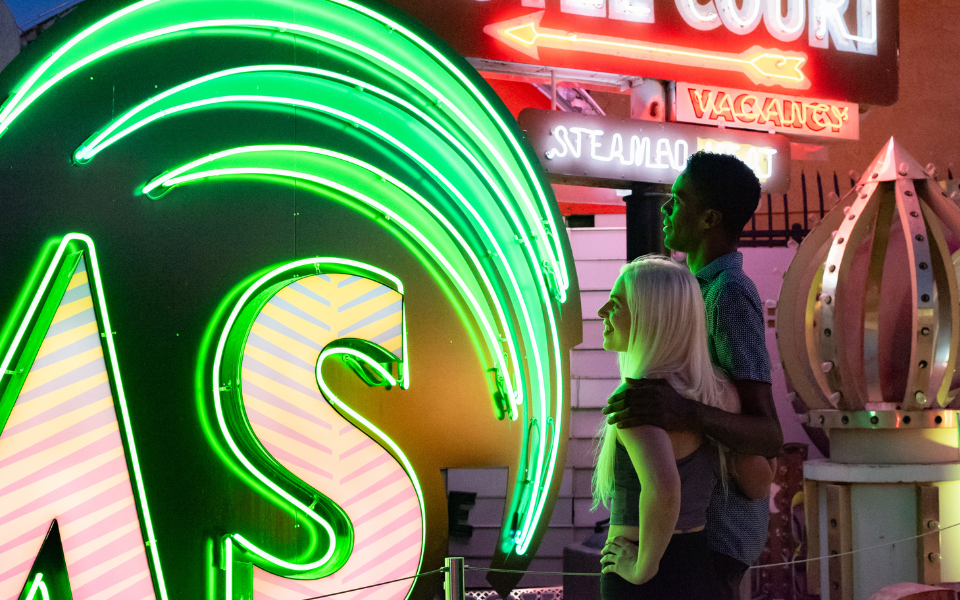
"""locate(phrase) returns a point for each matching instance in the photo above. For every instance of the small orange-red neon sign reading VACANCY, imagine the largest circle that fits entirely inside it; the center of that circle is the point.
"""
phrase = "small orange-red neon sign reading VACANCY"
(714, 105)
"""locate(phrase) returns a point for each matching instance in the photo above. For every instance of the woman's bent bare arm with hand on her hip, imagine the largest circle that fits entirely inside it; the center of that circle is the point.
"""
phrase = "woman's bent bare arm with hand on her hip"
(652, 456)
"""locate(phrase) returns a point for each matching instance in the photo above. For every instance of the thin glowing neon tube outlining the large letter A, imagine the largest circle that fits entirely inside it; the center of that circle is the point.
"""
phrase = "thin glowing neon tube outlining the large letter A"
(93, 271)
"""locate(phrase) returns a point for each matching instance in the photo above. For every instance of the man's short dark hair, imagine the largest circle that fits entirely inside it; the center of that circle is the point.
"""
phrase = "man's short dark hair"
(725, 184)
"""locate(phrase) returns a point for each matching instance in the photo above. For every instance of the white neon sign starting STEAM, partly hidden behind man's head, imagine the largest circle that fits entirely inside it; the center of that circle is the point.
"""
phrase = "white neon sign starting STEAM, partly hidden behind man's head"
(583, 149)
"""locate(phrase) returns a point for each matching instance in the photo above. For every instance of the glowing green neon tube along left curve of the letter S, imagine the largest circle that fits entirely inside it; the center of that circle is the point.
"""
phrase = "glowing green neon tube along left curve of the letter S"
(215, 390)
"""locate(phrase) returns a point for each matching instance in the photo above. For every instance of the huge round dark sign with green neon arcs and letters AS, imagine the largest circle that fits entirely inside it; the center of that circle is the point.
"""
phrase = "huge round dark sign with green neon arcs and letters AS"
(443, 255)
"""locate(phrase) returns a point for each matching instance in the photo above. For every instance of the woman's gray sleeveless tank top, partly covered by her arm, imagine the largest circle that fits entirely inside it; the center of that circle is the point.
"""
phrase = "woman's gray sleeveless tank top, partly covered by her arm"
(699, 473)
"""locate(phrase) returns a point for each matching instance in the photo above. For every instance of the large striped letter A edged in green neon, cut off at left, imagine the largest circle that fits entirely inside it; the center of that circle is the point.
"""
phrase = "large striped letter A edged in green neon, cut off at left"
(65, 441)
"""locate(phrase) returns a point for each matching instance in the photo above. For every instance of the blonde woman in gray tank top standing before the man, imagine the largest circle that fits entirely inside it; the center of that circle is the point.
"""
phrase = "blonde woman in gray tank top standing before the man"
(655, 320)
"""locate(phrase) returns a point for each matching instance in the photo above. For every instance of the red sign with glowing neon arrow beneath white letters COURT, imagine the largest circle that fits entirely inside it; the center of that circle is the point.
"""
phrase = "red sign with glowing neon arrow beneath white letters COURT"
(834, 49)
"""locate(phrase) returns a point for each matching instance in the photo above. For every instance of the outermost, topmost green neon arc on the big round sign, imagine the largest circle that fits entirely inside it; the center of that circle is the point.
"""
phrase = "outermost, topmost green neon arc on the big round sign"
(18, 103)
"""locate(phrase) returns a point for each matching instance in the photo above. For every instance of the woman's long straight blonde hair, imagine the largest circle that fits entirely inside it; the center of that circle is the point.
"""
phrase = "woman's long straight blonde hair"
(668, 339)
